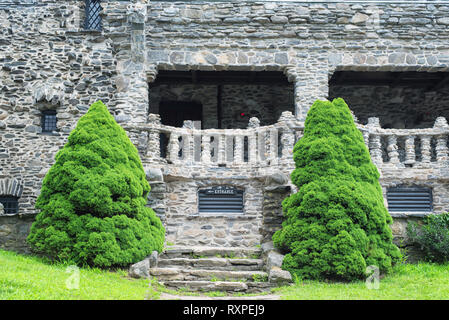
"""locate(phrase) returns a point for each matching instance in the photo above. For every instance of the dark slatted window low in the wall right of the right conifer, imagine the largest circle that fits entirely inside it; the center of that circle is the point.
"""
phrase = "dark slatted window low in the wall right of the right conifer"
(409, 199)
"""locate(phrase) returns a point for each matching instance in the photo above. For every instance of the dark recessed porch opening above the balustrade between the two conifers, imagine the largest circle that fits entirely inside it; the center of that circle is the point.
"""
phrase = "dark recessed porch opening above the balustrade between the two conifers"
(225, 99)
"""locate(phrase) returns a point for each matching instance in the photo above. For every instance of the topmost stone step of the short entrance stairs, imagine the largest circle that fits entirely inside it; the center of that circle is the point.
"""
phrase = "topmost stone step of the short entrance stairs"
(202, 251)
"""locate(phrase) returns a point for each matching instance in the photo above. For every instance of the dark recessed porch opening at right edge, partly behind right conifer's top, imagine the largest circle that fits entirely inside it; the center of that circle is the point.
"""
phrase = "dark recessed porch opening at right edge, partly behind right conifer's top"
(401, 100)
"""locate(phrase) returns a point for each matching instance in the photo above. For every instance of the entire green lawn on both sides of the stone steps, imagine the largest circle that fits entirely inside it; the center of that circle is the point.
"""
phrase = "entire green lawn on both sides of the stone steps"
(27, 277)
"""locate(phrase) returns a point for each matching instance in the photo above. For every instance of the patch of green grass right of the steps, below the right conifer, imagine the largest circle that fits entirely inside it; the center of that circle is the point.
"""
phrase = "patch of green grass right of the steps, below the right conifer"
(423, 281)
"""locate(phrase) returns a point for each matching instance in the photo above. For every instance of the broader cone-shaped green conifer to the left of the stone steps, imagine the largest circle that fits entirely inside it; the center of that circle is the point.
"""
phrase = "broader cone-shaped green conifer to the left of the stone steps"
(93, 199)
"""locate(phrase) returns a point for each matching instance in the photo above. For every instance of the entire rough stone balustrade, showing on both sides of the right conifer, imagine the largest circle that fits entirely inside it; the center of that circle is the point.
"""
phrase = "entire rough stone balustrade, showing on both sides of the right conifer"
(264, 146)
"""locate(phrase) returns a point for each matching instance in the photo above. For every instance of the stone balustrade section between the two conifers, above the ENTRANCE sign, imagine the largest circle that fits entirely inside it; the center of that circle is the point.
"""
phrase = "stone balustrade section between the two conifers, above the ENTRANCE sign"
(254, 146)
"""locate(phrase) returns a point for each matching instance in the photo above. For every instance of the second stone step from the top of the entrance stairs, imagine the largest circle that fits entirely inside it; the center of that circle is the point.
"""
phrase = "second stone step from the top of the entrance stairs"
(240, 264)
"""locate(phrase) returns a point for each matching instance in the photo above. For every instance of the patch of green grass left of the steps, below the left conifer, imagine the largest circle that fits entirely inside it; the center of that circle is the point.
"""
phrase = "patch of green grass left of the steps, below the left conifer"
(31, 278)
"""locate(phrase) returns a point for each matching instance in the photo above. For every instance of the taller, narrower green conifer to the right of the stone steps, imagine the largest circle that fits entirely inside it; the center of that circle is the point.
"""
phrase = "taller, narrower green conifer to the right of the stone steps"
(336, 224)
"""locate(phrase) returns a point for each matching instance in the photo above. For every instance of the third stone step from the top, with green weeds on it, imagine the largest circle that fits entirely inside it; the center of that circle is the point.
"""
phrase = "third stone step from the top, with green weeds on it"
(183, 274)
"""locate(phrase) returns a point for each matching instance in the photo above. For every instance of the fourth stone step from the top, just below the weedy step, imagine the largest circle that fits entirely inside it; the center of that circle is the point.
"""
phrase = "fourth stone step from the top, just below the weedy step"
(228, 286)
